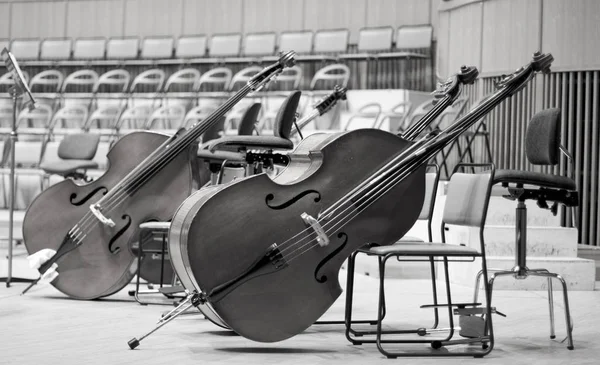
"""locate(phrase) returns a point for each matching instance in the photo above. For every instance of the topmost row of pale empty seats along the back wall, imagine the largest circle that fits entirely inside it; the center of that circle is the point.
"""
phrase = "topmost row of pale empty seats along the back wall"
(231, 47)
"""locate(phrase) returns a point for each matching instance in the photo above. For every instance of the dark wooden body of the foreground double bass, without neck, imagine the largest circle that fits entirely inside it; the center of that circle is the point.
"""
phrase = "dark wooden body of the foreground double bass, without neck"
(273, 306)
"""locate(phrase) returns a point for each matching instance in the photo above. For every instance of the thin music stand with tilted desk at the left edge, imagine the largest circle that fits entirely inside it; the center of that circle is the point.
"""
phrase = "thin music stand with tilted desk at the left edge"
(19, 88)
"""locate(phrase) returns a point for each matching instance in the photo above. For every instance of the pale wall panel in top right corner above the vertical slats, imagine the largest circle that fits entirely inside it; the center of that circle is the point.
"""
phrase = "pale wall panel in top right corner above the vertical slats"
(570, 33)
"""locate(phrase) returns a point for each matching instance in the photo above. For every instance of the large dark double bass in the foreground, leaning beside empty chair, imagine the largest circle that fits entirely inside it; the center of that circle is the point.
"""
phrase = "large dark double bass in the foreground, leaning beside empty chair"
(269, 267)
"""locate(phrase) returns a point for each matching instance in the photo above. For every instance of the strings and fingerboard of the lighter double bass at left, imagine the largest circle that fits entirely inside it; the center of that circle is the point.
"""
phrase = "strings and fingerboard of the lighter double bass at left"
(88, 221)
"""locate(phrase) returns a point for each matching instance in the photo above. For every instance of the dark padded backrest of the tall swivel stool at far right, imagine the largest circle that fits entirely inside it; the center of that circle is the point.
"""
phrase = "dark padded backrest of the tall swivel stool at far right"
(542, 140)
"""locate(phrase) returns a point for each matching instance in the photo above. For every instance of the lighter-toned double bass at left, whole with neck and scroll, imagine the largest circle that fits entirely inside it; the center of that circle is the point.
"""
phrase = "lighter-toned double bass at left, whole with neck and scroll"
(91, 226)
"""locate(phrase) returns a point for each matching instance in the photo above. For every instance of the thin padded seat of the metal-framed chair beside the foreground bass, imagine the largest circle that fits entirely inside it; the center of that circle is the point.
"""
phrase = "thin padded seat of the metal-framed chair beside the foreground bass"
(424, 249)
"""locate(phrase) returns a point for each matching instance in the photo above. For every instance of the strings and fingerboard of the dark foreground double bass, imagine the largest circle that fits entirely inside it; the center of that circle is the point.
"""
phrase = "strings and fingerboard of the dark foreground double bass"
(458, 126)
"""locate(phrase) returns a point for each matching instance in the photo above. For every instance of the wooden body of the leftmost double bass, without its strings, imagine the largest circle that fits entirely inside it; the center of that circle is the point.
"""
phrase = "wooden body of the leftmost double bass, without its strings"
(91, 270)
